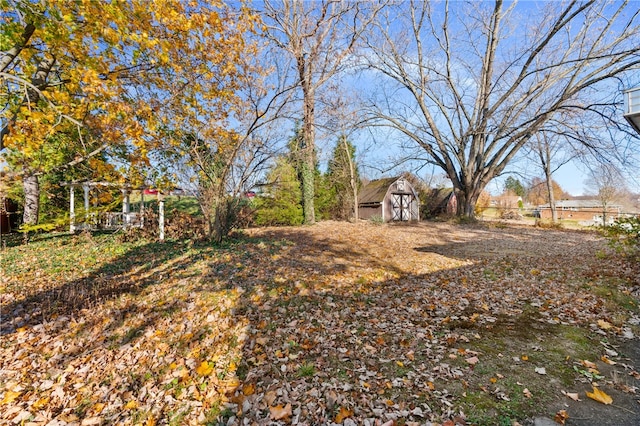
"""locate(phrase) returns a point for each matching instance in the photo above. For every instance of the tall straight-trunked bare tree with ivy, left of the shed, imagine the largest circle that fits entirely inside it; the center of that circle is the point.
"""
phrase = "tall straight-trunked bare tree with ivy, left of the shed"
(319, 36)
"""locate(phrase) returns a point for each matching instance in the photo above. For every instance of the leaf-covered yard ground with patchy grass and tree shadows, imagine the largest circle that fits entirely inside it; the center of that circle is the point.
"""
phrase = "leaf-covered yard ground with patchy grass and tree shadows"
(334, 323)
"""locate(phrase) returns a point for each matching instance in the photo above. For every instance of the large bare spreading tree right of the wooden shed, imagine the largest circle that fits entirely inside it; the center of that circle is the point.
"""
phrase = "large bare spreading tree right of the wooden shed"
(473, 82)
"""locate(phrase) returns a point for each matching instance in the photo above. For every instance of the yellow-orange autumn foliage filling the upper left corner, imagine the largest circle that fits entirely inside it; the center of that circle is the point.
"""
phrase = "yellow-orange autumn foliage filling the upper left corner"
(107, 86)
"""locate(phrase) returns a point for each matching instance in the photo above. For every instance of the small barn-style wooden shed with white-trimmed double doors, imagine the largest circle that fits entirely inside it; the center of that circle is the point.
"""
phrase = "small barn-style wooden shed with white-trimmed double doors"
(390, 199)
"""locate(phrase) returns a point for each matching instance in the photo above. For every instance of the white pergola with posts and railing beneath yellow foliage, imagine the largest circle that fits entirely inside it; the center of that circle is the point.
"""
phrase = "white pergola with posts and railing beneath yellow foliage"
(112, 220)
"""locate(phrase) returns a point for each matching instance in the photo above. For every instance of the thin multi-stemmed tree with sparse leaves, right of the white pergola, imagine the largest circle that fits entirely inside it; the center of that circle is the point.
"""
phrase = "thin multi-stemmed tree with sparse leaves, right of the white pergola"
(220, 166)
